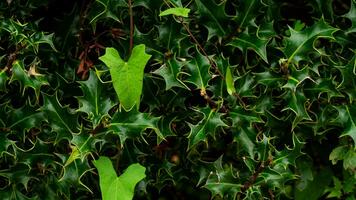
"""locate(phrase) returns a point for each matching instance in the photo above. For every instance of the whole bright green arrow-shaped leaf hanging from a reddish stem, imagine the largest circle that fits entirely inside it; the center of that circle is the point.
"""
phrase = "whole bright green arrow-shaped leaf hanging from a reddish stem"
(127, 76)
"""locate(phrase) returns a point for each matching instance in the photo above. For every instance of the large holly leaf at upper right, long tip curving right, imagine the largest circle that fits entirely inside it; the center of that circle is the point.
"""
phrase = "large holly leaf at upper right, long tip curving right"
(300, 43)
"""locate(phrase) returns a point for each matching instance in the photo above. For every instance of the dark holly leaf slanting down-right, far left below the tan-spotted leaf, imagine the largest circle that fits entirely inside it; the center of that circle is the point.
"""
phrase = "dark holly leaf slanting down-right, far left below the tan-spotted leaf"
(61, 120)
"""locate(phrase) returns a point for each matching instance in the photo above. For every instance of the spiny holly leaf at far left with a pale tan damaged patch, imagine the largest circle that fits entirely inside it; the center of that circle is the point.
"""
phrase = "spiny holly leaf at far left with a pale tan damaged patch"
(27, 80)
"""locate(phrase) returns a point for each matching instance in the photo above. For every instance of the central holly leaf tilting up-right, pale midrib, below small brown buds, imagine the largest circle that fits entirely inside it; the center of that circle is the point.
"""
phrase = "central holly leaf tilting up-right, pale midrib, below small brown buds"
(211, 120)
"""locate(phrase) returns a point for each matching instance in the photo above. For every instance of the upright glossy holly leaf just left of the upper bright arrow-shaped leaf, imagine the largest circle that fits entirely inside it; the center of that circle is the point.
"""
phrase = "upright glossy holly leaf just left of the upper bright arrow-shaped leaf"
(94, 102)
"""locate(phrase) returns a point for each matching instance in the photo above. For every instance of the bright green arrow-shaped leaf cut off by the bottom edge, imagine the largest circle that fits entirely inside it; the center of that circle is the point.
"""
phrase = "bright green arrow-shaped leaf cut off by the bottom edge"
(118, 188)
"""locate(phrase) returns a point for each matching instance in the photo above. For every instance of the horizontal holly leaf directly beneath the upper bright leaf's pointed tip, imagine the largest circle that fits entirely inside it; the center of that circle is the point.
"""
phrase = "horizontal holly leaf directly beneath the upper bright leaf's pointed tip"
(132, 124)
